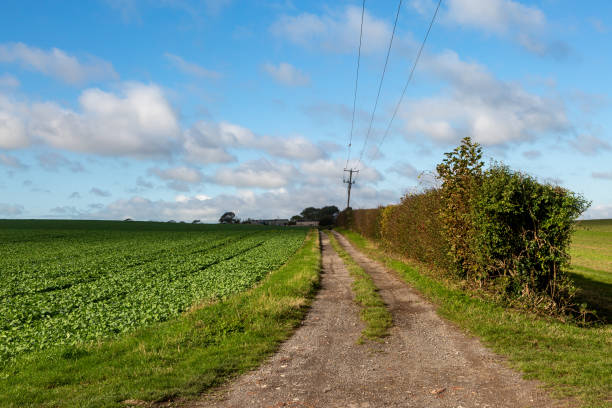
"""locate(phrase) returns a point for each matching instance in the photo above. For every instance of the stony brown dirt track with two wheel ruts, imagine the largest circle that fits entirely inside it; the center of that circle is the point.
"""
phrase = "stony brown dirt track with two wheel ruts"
(425, 362)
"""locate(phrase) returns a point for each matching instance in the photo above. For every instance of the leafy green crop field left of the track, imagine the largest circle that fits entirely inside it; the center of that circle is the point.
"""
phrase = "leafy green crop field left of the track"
(69, 282)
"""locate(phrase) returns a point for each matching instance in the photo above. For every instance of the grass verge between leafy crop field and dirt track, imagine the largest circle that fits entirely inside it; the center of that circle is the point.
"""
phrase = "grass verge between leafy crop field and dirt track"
(180, 358)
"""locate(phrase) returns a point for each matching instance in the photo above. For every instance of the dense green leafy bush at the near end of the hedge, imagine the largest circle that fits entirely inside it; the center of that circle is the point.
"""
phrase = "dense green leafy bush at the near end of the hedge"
(523, 234)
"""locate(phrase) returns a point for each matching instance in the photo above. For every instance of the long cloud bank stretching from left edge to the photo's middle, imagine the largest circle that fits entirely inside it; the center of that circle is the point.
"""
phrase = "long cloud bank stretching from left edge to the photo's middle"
(136, 121)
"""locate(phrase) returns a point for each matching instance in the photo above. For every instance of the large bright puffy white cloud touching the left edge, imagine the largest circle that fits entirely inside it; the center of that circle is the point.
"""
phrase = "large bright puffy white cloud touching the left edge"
(138, 121)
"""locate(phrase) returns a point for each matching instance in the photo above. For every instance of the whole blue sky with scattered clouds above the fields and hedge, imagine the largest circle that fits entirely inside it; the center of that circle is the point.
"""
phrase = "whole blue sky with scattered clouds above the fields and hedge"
(172, 109)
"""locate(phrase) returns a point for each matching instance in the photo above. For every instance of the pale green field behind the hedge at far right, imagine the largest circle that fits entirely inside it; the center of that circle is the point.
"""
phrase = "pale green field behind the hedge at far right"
(591, 253)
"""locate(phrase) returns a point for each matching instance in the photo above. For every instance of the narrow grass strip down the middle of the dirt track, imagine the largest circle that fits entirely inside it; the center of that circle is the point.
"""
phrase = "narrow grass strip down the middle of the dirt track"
(373, 310)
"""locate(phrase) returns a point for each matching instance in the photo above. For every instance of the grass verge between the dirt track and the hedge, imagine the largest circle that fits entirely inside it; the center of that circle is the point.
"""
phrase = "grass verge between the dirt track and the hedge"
(573, 362)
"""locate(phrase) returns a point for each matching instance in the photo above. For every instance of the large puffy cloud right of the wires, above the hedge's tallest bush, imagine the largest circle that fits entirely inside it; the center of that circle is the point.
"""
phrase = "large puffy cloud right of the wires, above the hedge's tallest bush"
(490, 110)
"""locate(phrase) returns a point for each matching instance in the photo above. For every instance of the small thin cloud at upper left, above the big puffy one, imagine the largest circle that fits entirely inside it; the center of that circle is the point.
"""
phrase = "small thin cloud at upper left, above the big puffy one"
(57, 63)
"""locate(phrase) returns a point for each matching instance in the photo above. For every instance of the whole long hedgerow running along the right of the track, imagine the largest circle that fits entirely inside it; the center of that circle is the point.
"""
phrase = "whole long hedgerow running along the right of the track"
(496, 229)
